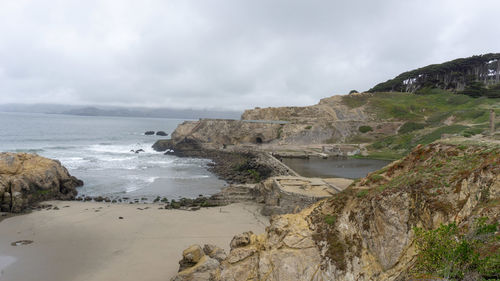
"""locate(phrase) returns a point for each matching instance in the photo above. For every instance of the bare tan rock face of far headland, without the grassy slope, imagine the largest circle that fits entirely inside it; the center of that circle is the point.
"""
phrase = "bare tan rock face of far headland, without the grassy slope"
(330, 121)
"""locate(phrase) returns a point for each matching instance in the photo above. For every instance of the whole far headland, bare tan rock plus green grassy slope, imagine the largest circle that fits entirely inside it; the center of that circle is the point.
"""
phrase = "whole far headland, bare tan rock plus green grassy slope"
(385, 125)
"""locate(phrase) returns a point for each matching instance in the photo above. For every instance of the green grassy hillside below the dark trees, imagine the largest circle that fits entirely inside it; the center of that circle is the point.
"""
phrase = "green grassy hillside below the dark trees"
(426, 118)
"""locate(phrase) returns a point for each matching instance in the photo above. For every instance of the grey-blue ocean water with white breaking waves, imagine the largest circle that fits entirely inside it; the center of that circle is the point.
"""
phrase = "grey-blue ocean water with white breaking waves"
(97, 150)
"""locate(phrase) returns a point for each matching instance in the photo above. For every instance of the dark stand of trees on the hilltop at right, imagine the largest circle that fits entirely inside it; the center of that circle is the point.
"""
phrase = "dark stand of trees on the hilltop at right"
(474, 76)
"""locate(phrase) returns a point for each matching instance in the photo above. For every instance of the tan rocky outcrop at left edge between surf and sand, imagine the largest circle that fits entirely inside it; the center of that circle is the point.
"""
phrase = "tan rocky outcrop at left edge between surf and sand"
(28, 178)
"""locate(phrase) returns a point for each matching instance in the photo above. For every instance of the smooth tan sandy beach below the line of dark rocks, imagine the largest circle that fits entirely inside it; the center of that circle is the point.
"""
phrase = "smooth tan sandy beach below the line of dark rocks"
(88, 241)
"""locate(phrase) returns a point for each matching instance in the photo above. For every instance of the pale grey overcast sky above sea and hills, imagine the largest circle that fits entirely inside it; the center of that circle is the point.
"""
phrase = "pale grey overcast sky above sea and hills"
(227, 54)
